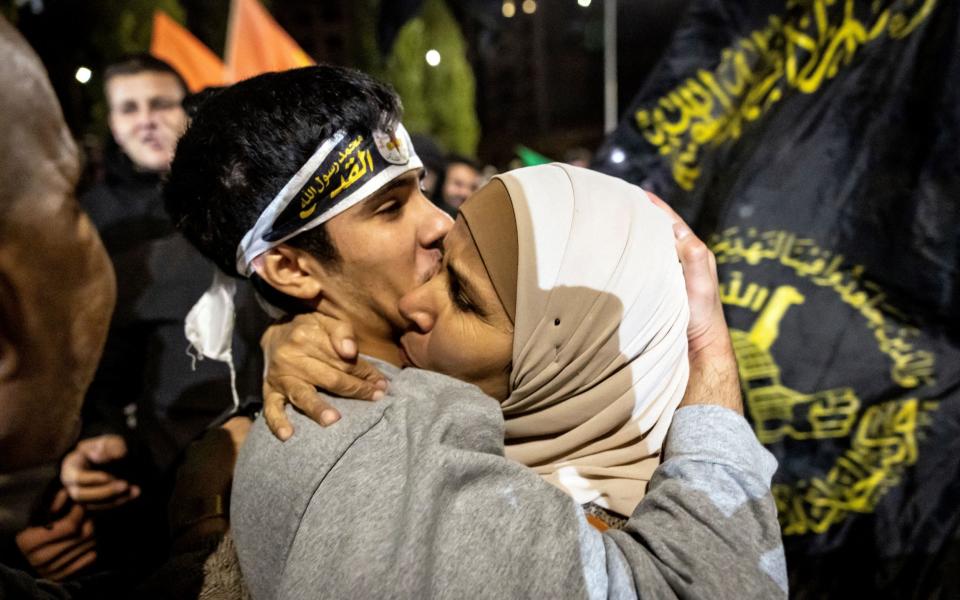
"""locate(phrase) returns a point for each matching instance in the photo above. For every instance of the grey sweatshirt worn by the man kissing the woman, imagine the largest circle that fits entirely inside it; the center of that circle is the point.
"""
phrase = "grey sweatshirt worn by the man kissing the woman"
(411, 497)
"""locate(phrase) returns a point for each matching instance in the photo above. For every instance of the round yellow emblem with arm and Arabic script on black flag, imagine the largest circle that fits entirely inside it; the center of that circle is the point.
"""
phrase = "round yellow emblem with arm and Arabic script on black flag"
(883, 437)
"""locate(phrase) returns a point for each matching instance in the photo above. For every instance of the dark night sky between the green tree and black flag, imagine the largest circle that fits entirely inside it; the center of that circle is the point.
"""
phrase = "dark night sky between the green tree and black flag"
(540, 77)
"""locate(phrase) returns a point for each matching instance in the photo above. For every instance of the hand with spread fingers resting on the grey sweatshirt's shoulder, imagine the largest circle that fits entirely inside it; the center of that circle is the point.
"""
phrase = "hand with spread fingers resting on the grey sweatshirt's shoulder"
(310, 351)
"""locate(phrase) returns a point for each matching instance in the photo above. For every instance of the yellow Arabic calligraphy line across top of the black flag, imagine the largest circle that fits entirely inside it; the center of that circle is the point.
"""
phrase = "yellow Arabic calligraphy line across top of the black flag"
(799, 52)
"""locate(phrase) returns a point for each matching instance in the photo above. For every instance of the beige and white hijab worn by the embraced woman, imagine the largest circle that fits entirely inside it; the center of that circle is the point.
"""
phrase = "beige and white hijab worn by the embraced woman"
(600, 347)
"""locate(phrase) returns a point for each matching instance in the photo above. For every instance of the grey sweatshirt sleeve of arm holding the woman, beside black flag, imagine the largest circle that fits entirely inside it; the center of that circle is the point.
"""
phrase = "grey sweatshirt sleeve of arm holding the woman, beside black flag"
(707, 527)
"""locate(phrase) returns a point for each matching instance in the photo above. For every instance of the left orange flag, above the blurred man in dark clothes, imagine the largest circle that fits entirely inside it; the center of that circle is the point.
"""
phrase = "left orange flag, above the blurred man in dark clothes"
(199, 66)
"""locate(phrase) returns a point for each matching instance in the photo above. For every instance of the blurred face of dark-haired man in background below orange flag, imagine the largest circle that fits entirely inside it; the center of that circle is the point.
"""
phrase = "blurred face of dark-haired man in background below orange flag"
(147, 117)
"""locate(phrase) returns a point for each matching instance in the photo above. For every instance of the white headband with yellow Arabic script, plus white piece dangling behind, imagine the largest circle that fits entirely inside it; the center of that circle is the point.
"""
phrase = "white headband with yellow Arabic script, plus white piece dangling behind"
(345, 170)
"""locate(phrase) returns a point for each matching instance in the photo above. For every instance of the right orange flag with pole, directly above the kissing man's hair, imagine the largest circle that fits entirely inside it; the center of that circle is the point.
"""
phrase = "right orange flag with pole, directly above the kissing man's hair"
(257, 44)
